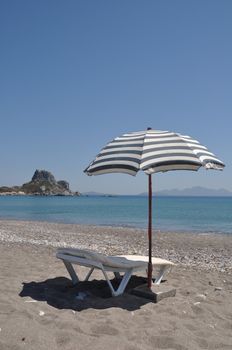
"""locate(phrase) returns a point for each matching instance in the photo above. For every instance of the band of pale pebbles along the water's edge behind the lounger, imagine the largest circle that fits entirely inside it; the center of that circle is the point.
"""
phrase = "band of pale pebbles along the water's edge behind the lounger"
(203, 251)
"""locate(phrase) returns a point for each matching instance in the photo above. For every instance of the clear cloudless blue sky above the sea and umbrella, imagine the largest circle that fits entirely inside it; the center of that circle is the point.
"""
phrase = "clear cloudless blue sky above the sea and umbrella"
(75, 74)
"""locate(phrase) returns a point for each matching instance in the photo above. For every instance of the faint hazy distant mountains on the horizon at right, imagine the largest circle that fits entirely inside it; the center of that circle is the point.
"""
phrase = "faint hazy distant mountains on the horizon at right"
(193, 191)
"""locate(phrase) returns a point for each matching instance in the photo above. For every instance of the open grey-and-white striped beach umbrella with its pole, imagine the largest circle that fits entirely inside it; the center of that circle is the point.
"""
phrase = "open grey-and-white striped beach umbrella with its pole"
(152, 151)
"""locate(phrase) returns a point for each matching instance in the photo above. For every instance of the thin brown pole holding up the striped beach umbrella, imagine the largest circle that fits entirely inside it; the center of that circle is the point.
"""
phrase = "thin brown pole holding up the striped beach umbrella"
(149, 274)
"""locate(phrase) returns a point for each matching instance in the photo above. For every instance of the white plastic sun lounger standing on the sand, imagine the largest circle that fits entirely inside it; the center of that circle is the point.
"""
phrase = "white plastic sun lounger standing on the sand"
(117, 264)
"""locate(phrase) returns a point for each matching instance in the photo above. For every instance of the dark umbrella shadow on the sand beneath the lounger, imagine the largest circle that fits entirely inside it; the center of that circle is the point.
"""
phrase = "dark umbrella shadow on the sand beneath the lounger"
(60, 293)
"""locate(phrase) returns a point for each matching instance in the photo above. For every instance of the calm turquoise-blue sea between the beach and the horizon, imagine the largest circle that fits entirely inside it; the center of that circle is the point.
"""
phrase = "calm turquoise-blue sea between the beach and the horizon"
(180, 214)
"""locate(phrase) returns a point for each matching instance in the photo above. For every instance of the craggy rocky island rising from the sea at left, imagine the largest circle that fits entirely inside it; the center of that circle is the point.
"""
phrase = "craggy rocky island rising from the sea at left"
(43, 183)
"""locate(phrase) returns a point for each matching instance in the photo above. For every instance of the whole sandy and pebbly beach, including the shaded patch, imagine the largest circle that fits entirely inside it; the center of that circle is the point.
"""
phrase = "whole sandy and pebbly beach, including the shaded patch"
(39, 308)
